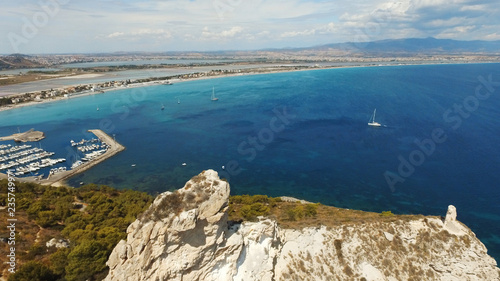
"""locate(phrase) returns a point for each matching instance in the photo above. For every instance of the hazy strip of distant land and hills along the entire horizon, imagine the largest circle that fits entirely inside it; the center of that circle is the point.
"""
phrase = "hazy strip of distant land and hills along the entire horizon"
(375, 49)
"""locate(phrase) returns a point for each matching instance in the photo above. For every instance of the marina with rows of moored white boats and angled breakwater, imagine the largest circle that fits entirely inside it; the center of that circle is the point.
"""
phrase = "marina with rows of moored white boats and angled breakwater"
(26, 162)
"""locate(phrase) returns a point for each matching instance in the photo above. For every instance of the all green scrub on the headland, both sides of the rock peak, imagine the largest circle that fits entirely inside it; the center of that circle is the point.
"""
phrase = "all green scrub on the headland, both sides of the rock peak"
(93, 219)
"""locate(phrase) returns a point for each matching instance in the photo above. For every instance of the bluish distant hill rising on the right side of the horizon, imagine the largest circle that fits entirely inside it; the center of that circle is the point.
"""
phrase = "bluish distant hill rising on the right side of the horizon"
(414, 46)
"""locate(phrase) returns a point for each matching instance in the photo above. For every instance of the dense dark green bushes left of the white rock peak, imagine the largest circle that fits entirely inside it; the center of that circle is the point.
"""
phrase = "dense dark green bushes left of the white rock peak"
(93, 219)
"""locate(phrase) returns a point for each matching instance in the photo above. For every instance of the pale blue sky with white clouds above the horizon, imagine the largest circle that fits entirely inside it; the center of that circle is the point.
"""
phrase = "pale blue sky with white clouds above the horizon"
(75, 26)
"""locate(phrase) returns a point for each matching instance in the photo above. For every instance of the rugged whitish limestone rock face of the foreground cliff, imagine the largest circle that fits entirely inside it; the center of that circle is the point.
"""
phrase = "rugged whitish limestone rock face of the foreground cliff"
(185, 235)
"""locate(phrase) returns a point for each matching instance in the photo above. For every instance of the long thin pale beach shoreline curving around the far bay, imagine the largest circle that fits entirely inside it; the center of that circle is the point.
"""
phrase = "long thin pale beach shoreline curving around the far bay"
(180, 80)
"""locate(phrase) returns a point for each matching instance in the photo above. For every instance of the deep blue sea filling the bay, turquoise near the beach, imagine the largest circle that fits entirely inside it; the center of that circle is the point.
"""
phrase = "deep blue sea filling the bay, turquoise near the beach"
(304, 134)
